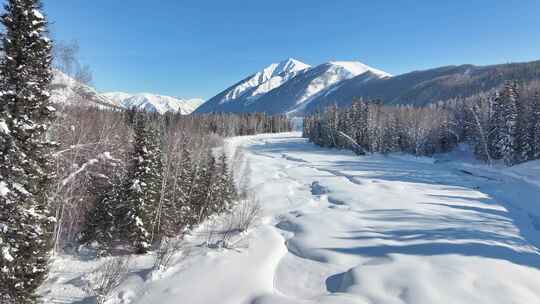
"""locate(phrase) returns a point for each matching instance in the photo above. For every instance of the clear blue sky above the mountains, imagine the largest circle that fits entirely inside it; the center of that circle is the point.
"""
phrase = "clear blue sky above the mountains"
(197, 48)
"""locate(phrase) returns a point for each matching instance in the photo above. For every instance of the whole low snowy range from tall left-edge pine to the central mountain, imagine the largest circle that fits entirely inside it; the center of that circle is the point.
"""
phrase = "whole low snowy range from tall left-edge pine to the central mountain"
(66, 90)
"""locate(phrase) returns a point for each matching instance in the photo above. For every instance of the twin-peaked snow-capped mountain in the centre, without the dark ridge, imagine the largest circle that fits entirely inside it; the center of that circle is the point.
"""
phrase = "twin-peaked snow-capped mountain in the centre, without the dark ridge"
(285, 87)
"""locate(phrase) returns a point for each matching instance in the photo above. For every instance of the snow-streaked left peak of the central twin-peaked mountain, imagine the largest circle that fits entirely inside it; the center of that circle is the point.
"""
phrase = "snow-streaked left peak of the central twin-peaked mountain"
(266, 80)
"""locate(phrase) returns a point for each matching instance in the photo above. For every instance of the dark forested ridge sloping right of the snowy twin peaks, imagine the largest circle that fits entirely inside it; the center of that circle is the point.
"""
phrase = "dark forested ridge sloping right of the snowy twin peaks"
(421, 88)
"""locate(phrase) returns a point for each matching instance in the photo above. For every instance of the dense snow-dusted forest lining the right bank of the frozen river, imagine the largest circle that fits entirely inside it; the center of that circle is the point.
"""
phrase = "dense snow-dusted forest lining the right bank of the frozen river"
(502, 125)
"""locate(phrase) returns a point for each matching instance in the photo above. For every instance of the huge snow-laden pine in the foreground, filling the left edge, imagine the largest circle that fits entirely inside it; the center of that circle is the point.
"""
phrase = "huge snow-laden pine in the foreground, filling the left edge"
(25, 162)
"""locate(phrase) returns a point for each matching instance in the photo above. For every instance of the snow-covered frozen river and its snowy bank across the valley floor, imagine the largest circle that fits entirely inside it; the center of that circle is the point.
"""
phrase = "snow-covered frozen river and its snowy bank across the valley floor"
(339, 228)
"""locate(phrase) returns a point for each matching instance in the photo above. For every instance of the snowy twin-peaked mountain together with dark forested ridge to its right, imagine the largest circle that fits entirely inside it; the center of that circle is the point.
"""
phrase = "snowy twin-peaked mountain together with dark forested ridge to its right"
(295, 88)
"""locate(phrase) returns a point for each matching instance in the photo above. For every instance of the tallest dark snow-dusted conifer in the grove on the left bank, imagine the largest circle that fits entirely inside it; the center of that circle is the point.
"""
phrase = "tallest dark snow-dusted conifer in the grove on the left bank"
(141, 189)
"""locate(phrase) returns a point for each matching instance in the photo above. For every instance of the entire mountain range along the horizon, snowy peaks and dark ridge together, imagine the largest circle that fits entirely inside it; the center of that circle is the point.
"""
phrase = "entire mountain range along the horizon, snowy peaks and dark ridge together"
(295, 88)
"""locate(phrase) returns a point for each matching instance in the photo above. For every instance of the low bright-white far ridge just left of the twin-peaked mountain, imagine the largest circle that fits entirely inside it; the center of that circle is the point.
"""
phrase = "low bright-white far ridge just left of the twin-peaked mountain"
(154, 103)
